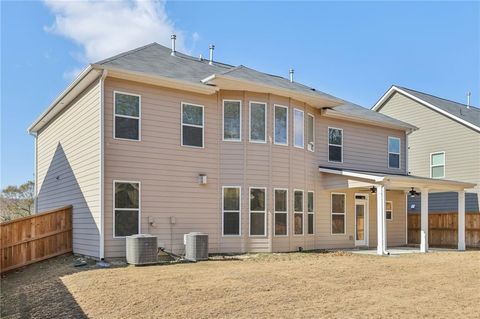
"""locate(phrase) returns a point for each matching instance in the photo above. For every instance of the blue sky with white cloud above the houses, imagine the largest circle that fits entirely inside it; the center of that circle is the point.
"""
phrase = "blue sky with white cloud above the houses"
(354, 50)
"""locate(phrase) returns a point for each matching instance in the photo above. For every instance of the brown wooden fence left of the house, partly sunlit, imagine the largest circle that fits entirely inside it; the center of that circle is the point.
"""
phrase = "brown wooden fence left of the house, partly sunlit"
(33, 238)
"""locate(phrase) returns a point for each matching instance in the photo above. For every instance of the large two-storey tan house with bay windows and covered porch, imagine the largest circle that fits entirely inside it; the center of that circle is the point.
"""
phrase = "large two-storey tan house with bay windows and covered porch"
(155, 141)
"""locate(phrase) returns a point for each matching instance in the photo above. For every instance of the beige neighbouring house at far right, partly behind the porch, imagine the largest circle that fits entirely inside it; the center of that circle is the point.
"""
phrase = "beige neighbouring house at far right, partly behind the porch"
(446, 146)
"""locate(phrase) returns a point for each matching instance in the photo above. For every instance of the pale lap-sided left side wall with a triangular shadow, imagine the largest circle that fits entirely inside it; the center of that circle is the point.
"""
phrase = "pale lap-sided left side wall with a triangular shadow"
(68, 168)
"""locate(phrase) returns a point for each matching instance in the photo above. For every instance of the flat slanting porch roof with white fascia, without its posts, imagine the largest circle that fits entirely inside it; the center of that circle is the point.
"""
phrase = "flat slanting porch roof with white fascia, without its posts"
(393, 181)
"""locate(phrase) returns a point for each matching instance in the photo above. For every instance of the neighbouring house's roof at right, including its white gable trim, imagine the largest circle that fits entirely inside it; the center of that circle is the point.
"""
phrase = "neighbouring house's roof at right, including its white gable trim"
(469, 116)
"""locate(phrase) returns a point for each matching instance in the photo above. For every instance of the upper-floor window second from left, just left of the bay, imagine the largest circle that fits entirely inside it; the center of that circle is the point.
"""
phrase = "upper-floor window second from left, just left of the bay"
(192, 125)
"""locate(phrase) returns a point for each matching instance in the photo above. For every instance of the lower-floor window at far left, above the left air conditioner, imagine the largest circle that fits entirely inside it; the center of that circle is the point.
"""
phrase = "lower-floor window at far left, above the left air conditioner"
(126, 212)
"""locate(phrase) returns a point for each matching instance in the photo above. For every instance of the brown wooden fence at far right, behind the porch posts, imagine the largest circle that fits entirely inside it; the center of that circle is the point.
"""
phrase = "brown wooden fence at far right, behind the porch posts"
(443, 229)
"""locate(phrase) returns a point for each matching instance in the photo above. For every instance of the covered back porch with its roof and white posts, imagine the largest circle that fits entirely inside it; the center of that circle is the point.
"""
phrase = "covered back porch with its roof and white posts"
(377, 186)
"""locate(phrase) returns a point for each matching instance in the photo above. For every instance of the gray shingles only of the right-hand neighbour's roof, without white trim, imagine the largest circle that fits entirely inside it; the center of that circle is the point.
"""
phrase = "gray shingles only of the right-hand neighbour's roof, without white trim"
(471, 115)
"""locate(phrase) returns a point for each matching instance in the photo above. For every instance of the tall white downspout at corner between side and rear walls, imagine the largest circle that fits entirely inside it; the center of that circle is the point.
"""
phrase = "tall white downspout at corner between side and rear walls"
(102, 166)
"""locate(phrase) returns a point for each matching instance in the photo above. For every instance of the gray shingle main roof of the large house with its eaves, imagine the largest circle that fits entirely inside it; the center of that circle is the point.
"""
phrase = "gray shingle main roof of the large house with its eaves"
(155, 63)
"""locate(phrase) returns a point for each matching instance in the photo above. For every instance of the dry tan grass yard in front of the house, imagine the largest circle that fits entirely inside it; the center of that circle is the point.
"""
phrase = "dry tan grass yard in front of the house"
(296, 285)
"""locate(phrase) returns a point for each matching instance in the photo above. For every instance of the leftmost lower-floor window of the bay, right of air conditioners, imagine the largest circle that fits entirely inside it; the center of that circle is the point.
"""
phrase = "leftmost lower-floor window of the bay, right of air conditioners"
(231, 210)
